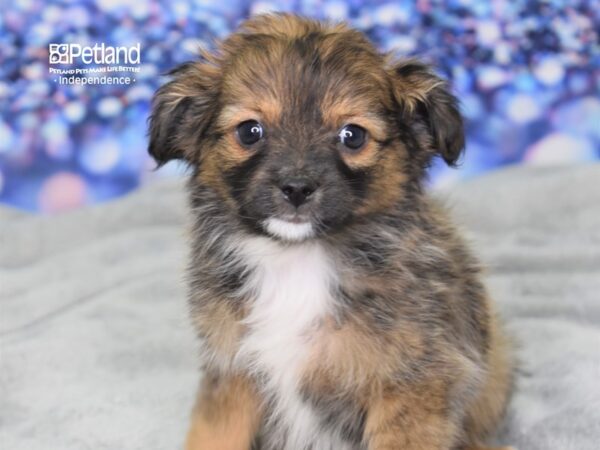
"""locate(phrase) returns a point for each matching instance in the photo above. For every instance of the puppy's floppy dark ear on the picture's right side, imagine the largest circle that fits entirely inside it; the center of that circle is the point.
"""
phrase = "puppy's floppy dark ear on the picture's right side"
(422, 93)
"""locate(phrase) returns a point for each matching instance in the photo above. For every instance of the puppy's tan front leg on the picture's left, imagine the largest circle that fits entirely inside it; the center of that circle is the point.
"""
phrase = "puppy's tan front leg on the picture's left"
(226, 416)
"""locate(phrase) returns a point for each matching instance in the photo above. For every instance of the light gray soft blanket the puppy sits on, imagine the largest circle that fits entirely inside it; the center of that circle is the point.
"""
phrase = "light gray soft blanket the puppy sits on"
(97, 352)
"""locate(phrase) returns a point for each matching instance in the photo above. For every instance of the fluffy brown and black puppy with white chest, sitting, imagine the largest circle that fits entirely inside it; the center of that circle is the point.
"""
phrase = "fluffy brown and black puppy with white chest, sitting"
(336, 305)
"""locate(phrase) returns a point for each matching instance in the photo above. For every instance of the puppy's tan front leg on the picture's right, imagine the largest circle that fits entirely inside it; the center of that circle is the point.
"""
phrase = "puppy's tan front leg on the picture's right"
(413, 419)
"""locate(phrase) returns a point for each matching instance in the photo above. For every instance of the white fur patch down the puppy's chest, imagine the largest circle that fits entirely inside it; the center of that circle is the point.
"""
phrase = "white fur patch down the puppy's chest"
(291, 290)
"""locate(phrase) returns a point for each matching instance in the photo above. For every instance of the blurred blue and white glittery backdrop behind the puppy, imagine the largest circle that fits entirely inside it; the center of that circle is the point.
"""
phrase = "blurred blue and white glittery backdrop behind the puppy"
(527, 74)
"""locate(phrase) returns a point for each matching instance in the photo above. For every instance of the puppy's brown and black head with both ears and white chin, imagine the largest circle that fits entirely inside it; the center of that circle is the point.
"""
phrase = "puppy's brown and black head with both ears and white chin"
(300, 127)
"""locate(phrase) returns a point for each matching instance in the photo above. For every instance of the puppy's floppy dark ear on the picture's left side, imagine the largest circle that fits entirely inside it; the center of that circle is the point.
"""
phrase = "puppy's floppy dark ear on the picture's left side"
(182, 111)
